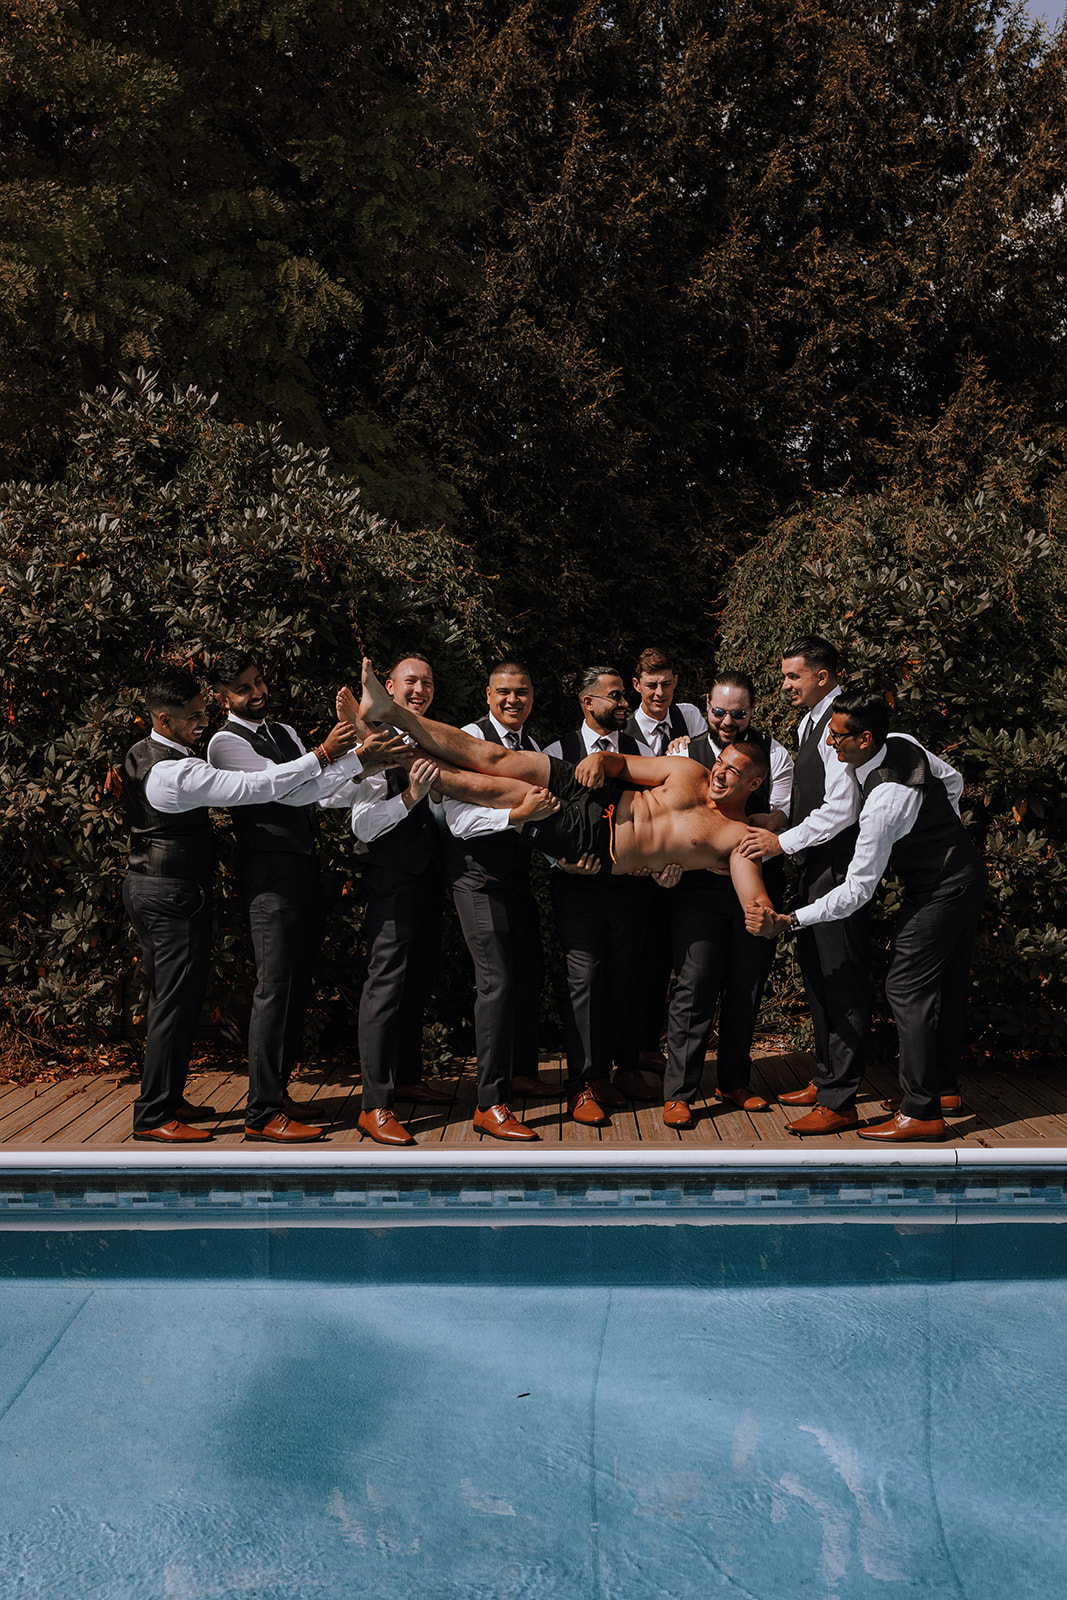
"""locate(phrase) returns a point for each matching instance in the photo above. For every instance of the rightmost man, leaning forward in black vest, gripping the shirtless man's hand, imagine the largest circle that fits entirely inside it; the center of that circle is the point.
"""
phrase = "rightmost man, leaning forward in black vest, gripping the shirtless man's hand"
(911, 823)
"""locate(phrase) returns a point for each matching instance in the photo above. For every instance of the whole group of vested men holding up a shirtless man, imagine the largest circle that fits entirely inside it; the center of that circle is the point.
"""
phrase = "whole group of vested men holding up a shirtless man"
(666, 828)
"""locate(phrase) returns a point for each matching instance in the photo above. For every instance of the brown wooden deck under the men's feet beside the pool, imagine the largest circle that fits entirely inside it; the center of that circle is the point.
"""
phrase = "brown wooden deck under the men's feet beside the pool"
(1004, 1108)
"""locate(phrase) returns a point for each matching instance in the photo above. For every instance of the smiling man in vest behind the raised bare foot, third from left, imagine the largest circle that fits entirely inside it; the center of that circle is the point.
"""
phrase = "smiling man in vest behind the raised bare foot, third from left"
(404, 882)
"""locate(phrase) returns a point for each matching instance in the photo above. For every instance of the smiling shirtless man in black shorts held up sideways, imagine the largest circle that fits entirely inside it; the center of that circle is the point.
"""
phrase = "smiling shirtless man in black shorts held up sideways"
(631, 814)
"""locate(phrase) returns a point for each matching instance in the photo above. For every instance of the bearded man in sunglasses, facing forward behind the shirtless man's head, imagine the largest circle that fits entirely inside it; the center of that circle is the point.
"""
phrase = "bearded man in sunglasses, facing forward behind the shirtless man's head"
(717, 964)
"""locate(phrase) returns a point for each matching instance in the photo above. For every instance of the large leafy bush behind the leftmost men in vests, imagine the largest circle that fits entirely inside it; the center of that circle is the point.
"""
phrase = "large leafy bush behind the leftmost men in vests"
(172, 535)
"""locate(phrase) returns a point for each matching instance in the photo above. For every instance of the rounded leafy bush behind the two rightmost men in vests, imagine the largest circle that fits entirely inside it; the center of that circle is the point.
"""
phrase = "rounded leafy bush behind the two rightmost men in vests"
(959, 615)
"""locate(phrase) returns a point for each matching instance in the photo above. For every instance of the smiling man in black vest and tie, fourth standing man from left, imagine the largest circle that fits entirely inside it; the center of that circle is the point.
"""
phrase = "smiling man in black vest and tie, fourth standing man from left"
(490, 881)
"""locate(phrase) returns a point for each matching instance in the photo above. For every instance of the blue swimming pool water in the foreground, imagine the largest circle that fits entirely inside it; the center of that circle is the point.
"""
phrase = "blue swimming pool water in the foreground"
(783, 1407)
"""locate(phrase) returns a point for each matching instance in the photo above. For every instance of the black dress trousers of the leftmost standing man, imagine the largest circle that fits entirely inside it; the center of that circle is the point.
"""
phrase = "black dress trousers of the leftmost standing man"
(172, 919)
